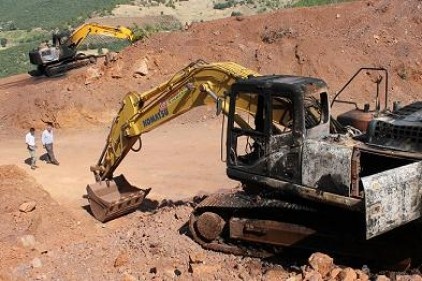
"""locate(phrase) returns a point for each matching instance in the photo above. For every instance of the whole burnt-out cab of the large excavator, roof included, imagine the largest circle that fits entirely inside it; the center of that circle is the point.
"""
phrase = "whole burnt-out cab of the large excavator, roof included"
(280, 111)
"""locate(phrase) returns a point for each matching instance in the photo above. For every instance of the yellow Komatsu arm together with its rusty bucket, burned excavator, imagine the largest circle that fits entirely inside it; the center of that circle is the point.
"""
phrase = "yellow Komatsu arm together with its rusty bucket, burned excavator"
(197, 84)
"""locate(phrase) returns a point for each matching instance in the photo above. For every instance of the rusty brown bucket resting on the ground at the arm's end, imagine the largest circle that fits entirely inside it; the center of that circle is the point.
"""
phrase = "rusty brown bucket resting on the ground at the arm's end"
(113, 198)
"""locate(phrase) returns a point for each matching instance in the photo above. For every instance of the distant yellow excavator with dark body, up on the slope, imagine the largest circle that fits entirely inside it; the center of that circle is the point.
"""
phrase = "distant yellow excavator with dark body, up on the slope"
(62, 55)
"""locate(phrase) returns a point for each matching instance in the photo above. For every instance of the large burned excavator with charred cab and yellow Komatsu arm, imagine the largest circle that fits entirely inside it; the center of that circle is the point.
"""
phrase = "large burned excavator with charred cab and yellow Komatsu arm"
(306, 179)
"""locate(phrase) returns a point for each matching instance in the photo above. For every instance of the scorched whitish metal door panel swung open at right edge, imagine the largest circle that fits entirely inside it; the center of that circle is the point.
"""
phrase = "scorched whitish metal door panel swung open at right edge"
(392, 198)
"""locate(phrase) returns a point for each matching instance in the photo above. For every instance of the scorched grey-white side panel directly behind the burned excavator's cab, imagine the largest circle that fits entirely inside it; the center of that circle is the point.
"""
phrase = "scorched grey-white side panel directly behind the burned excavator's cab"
(327, 165)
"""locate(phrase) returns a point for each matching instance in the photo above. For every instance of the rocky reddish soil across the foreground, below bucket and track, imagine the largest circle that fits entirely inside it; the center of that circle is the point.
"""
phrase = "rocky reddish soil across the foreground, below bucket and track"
(148, 245)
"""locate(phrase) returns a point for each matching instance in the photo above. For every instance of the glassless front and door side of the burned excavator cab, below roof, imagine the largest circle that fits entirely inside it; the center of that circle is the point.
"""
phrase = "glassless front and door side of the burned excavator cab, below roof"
(261, 139)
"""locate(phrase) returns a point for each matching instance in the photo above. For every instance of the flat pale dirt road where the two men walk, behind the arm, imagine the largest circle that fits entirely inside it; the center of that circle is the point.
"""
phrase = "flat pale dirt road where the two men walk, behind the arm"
(177, 161)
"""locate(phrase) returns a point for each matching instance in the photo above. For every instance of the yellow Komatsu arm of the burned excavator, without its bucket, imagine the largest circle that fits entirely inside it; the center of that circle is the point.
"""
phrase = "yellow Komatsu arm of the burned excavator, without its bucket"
(197, 84)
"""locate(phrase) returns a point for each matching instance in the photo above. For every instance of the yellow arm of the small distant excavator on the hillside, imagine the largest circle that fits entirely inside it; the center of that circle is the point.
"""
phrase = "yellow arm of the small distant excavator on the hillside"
(76, 38)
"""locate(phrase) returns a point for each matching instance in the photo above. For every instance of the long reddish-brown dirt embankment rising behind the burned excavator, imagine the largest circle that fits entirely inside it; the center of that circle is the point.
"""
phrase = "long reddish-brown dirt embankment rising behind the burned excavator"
(331, 42)
